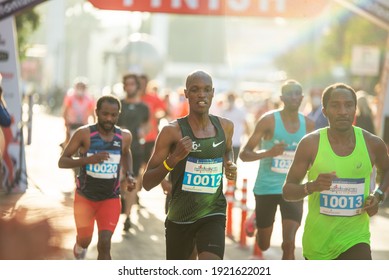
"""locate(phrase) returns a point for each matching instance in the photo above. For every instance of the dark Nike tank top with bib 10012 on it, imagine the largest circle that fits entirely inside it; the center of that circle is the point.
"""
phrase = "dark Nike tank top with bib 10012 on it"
(198, 179)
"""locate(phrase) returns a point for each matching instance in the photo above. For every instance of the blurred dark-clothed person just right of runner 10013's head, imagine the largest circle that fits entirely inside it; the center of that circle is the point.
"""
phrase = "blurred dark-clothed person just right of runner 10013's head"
(364, 117)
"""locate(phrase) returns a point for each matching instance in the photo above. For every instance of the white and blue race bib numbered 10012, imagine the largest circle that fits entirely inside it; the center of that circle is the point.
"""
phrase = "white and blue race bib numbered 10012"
(202, 175)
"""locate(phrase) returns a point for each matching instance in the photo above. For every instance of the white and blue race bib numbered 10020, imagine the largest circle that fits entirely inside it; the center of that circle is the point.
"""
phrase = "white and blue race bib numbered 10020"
(105, 170)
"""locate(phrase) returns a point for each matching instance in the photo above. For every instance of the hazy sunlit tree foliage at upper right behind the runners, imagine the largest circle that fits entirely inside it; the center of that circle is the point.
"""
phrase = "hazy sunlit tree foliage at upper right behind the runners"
(325, 55)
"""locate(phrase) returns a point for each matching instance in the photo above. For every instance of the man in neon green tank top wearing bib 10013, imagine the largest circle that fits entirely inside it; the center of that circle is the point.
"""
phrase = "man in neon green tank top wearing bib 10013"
(339, 161)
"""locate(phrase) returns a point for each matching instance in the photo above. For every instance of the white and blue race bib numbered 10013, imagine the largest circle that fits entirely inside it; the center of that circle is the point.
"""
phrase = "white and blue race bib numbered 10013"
(345, 198)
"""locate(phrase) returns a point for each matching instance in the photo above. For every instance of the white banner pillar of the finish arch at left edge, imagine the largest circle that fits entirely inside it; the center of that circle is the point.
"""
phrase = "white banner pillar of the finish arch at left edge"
(14, 165)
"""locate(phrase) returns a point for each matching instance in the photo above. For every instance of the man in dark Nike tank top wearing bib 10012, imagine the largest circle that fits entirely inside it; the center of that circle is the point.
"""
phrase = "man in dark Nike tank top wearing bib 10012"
(197, 151)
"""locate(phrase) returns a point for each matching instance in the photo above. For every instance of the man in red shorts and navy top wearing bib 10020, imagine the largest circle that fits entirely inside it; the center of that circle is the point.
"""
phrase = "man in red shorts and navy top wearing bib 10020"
(105, 164)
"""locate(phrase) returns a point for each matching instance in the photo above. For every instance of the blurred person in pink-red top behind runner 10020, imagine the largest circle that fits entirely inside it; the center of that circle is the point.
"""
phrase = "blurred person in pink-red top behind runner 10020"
(78, 107)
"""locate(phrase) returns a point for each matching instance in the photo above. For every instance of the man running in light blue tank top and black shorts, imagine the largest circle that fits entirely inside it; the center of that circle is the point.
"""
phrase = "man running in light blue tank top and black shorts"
(274, 142)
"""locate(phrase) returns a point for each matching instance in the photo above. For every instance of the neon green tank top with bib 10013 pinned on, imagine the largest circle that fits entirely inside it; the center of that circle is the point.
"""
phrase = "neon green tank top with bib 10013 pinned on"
(335, 220)
